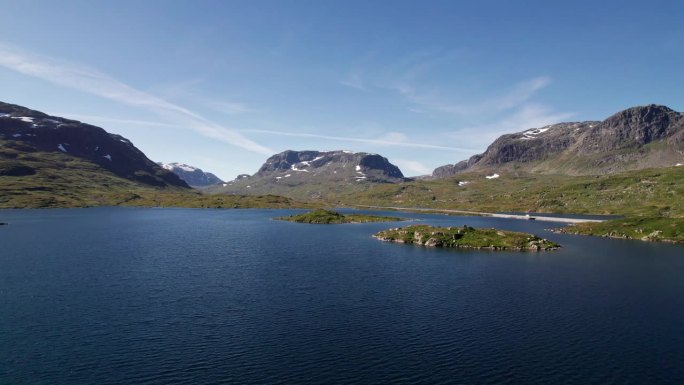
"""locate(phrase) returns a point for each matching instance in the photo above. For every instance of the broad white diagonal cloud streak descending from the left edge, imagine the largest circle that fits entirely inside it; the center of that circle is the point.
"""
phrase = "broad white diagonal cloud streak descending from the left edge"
(92, 81)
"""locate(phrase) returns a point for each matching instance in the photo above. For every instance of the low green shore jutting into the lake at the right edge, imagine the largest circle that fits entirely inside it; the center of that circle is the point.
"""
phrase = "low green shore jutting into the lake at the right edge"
(641, 228)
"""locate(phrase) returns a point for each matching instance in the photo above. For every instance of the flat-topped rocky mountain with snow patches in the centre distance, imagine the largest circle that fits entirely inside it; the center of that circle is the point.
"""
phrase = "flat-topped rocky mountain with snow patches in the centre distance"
(315, 174)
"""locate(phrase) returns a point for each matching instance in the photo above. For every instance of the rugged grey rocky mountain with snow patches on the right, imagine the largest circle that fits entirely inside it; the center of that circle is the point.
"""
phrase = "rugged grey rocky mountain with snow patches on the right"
(637, 138)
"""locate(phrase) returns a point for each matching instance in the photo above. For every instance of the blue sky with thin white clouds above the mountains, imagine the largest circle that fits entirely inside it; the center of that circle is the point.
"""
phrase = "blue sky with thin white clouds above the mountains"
(223, 84)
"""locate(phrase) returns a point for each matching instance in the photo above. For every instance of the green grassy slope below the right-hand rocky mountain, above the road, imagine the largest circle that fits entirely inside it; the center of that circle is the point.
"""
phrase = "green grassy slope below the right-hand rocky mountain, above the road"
(655, 192)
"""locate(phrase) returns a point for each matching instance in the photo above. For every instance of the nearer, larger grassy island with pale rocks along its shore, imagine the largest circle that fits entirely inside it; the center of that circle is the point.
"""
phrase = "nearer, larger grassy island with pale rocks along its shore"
(466, 237)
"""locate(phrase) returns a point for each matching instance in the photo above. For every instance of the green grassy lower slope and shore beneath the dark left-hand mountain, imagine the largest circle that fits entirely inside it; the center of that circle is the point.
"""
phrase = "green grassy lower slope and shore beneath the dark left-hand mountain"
(50, 179)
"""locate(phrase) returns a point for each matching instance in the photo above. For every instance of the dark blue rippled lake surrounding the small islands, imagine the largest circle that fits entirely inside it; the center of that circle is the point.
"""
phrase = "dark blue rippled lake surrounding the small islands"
(180, 296)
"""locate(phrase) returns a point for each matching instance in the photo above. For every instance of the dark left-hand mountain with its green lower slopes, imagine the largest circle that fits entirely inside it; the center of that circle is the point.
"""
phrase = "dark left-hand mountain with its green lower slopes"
(49, 161)
